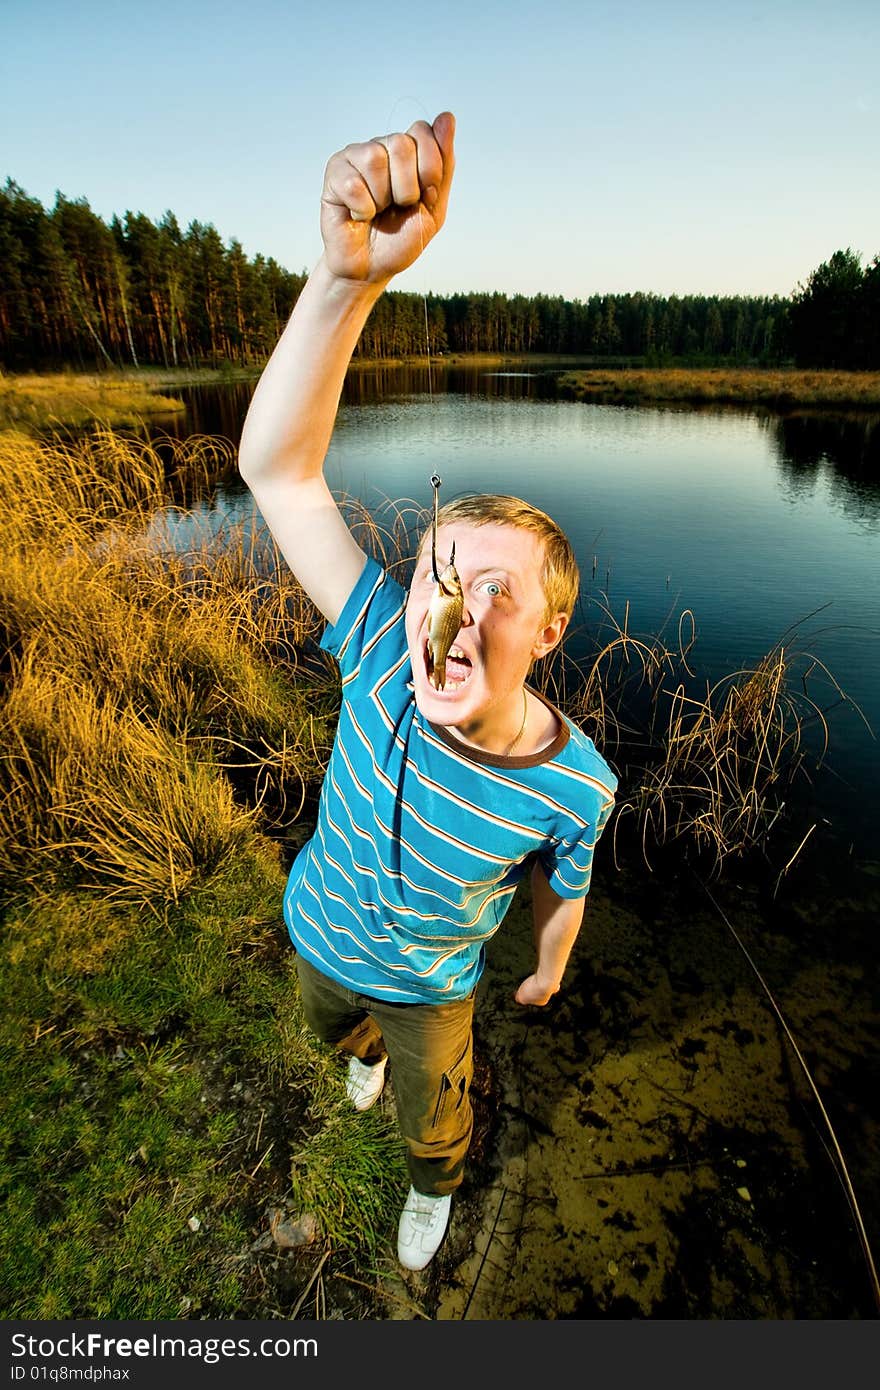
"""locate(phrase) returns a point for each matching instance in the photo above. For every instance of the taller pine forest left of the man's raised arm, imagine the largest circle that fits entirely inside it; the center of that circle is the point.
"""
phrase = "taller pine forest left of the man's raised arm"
(136, 293)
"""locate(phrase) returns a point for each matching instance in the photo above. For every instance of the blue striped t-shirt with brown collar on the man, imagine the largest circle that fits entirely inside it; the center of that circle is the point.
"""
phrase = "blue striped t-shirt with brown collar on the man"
(422, 840)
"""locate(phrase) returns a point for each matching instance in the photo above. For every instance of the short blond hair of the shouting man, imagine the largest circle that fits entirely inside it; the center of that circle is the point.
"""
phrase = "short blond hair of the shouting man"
(561, 578)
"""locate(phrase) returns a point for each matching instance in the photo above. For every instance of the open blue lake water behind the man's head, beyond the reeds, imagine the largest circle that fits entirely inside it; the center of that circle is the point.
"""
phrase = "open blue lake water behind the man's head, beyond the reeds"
(767, 529)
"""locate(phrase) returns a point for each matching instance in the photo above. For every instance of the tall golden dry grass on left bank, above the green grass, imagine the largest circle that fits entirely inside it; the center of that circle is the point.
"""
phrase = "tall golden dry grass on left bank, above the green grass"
(154, 700)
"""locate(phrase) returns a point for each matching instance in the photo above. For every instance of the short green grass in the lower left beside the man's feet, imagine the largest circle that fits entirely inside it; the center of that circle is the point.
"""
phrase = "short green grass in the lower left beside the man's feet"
(166, 1109)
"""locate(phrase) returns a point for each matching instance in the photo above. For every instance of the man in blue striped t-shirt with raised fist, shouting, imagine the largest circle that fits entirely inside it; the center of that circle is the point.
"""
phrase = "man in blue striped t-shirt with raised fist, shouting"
(440, 796)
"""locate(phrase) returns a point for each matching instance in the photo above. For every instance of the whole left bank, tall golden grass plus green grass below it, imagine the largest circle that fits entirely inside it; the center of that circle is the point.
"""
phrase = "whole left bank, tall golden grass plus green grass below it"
(166, 1117)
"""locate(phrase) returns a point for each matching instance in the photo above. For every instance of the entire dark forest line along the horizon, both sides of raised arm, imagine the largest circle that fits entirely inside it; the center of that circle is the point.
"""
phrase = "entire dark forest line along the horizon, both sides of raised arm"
(77, 291)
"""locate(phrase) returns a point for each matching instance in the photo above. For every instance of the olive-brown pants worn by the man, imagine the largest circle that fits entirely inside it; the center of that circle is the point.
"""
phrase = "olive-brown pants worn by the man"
(430, 1053)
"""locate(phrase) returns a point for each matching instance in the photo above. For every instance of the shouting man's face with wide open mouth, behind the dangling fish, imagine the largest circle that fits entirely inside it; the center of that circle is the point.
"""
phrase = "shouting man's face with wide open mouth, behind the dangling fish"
(504, 625)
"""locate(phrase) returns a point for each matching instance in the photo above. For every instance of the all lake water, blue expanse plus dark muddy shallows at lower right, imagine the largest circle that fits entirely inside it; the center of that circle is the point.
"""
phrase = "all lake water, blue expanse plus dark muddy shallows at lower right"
(647, 1146)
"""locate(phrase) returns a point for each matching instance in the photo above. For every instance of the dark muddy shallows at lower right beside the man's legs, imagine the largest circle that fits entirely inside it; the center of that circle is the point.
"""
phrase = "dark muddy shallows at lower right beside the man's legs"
(649, 1146)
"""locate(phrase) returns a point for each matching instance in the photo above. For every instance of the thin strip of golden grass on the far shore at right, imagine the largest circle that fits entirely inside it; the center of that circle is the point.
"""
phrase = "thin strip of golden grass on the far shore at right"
(778, 390)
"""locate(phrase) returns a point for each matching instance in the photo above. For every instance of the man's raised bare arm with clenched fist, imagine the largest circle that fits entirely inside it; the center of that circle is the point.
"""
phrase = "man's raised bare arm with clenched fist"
(383, 202)
